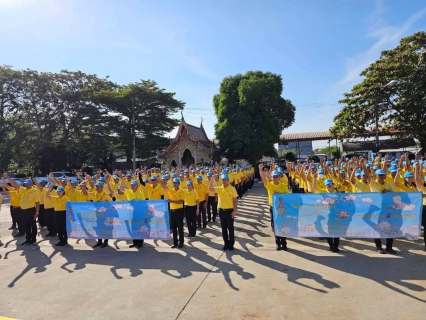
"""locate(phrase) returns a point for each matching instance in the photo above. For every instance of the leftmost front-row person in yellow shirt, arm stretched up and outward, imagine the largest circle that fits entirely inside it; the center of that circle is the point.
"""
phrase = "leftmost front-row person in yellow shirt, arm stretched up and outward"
(30, 208)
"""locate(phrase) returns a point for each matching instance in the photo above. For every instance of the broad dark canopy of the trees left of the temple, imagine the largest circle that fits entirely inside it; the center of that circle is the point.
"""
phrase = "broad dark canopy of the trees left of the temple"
(58, 121)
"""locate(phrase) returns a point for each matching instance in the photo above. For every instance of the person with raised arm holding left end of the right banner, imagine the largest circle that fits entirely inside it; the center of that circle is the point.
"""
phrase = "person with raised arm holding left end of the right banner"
(273, 187)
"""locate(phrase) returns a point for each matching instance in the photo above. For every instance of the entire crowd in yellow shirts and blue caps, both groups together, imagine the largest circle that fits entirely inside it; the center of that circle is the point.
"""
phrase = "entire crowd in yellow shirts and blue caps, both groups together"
(199, 195)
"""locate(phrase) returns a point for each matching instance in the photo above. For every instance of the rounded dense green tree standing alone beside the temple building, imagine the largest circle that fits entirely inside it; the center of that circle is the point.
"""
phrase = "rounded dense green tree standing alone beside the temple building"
(251, 114)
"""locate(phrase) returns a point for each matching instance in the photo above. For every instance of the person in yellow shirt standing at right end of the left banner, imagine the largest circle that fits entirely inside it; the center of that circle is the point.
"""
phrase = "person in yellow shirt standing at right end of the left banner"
(176, 200)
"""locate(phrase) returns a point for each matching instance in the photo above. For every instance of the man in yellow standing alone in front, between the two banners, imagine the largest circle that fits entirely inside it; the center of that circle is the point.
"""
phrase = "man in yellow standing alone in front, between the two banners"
(227, 196)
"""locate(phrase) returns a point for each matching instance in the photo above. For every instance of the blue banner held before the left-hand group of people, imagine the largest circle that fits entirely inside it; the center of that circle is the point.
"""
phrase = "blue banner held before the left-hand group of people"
(118, 220)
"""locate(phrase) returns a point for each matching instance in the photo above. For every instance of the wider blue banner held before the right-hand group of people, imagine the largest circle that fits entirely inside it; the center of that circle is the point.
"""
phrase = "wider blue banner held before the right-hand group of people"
(348, 215)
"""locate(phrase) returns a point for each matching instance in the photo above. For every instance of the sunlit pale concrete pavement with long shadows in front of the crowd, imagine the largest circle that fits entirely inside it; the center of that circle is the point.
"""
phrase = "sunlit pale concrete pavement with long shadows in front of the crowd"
(201, 282)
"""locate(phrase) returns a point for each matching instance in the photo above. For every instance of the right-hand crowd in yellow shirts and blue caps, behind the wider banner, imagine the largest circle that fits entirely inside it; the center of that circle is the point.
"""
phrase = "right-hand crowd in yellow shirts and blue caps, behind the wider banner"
(356, 174)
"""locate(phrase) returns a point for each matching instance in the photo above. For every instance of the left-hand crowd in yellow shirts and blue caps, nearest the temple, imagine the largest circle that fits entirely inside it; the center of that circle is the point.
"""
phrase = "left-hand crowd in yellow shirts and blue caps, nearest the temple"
(197, 194)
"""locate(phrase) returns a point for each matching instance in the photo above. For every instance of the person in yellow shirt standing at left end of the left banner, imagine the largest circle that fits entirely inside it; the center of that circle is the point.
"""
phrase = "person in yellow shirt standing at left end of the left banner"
(60, 207)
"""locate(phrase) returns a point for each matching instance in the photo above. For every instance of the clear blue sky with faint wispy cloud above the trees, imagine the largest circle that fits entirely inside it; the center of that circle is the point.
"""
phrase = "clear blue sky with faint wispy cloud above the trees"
(188, 46)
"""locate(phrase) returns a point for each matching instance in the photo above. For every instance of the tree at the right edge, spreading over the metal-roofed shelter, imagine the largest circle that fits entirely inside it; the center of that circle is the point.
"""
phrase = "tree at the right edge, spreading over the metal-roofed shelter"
(394, 87)
